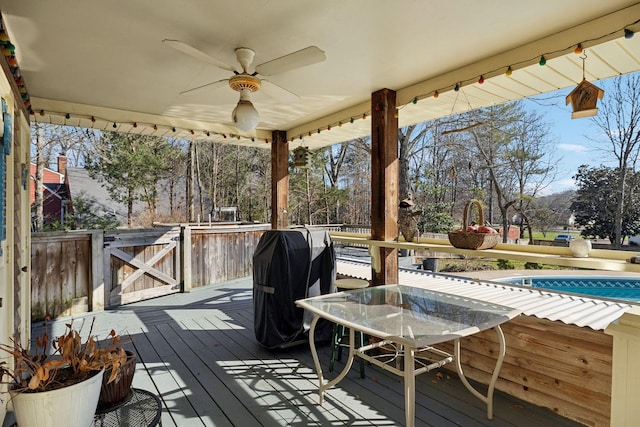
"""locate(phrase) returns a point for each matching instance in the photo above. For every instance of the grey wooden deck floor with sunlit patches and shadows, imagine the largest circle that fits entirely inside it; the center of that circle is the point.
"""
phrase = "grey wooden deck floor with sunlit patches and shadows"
(198, 352)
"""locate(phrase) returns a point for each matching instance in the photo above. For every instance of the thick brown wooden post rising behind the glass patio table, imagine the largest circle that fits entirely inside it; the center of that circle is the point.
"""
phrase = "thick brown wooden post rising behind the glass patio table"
(384, 184)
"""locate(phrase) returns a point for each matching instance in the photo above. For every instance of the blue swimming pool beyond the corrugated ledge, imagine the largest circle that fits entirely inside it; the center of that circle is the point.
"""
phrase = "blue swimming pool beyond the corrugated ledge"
(622, 288)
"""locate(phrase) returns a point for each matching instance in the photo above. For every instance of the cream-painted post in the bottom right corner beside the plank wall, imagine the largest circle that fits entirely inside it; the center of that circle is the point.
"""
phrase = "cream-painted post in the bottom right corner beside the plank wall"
(625, 376)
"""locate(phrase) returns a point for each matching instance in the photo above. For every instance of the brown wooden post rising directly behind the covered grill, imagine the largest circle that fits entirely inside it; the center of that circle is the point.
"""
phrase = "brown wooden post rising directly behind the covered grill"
(279, 180)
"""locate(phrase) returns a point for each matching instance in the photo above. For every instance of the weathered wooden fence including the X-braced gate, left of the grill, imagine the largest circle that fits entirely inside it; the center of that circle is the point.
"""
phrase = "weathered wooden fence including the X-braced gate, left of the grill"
(81, 271)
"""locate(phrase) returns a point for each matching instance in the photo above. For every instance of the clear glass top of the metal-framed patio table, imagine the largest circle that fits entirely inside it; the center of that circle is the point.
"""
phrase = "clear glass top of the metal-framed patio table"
(411, 316)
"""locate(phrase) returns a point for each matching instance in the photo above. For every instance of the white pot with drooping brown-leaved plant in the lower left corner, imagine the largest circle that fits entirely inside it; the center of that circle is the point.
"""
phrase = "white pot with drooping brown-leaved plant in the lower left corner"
(65, 369)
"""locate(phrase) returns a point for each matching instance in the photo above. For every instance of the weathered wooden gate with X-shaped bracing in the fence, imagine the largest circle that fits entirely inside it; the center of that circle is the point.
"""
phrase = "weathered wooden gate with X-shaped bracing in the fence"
(141, 265)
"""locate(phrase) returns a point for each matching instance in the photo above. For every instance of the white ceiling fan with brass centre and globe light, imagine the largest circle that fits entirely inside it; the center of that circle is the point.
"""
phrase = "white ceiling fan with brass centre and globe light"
(245, 116)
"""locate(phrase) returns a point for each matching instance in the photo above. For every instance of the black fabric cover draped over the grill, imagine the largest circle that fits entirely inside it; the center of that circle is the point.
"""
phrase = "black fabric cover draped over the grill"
(289, 265)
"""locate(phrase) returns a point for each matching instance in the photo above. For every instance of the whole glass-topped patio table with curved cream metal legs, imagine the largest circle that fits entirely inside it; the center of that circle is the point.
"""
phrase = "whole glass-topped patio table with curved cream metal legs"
(411, 319)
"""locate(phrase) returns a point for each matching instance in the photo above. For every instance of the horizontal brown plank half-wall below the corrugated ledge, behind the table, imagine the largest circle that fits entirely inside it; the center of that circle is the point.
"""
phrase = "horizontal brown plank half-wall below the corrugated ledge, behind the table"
(566, 368)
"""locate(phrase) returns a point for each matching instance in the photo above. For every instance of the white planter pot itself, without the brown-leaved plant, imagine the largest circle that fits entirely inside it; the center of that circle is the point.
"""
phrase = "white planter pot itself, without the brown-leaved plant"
(72, 406)
